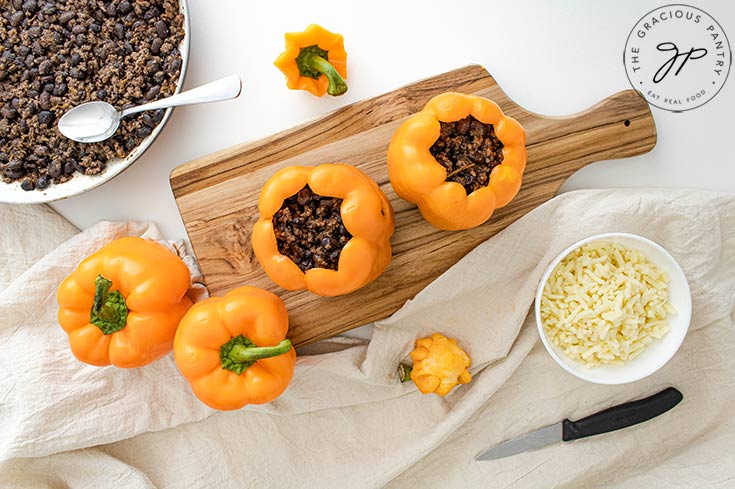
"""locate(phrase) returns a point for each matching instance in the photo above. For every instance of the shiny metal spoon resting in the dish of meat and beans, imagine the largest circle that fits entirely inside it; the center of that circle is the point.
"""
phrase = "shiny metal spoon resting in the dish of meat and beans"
(96, 121)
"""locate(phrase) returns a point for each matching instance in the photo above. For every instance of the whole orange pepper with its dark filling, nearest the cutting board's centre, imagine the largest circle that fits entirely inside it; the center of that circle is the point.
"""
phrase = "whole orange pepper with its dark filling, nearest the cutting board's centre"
(326, 229)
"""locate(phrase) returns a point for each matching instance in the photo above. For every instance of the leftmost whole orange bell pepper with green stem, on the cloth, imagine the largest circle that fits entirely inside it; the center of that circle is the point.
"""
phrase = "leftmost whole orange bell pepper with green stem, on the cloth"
(122, 305)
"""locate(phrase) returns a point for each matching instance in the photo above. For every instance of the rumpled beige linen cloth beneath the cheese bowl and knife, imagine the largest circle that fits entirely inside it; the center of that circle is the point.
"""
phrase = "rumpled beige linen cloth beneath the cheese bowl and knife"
(345, 421)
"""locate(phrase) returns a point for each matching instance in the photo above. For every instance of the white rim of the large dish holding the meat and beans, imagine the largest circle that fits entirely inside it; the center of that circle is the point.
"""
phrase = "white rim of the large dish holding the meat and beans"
(12, 193)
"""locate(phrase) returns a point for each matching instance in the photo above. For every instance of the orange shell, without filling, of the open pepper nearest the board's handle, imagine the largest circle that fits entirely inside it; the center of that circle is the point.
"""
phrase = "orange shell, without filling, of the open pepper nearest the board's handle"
(417, 177)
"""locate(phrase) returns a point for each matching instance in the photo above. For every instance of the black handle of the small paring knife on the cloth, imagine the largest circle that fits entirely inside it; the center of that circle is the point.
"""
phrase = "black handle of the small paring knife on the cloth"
(621, 416)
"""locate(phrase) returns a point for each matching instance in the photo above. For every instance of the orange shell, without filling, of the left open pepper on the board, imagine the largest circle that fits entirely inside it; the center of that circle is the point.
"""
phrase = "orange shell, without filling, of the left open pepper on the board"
(366, 214)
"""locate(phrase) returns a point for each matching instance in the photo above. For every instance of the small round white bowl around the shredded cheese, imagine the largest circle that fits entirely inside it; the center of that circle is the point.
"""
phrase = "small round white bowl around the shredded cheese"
(656, 354)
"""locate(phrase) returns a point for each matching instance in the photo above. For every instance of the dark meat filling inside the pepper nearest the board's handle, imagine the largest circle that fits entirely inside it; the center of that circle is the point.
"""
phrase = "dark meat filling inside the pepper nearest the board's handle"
(469, 150)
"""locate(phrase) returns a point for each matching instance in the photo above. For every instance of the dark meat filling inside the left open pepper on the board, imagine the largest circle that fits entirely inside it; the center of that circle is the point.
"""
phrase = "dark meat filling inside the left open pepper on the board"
(309, 230)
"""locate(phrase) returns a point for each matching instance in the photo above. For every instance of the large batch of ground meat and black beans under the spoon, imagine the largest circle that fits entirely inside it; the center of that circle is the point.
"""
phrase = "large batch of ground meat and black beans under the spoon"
(57, 54)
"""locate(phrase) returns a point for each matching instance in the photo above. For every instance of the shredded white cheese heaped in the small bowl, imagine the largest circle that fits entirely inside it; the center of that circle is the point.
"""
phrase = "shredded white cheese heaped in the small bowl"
(604, 303)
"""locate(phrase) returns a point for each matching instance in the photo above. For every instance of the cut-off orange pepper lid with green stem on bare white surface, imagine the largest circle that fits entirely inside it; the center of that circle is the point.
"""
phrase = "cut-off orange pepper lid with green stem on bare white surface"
(314, 60)
